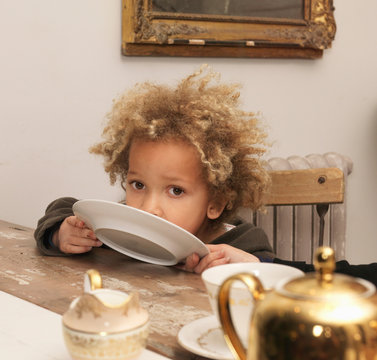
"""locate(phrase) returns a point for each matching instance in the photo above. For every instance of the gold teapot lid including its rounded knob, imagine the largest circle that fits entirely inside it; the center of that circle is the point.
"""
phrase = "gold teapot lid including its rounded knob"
(323, 284)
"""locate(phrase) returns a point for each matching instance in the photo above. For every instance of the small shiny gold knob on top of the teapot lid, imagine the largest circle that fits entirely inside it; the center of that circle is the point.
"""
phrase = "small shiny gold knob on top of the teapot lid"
(324, 264)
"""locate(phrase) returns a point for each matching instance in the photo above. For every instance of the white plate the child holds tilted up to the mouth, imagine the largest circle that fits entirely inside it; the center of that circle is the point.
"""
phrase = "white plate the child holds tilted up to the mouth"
(138, 234)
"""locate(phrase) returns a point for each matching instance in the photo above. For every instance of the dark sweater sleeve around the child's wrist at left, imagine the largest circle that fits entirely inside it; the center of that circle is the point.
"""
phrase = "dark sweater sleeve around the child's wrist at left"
(55, 214)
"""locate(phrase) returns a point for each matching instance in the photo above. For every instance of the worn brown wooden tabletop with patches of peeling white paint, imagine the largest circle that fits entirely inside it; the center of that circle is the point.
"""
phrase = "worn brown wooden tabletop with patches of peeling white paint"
(172, 297)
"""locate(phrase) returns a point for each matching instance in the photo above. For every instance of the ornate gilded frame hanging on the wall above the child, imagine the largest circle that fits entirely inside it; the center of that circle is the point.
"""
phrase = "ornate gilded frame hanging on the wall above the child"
(155, 33)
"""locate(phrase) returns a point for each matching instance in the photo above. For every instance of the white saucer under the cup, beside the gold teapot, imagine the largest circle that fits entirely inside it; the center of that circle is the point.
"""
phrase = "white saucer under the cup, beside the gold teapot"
(204, 337)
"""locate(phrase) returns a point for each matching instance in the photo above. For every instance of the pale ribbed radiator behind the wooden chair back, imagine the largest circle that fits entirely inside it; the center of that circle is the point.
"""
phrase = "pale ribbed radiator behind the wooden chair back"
(293, 231)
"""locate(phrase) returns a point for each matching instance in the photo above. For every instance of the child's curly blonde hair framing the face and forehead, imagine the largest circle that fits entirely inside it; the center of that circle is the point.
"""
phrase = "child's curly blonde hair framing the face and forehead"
(204, 113)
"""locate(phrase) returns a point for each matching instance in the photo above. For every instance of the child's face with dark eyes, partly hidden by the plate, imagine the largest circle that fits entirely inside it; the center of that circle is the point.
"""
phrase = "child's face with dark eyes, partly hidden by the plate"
(165, 179)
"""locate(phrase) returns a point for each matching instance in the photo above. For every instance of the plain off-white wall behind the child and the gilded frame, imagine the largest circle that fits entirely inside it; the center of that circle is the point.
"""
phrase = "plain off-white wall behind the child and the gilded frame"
(61, 66)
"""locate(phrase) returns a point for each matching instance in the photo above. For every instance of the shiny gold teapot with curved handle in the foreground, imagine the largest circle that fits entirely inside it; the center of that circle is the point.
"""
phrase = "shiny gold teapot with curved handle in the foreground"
(319, 316)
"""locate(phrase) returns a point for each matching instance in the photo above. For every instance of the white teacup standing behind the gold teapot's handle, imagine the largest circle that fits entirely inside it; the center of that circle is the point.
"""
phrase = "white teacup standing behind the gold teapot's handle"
(241, 302)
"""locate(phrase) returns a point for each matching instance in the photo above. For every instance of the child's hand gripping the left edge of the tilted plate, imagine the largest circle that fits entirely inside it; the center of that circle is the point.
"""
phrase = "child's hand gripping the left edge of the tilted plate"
(74, 237)
